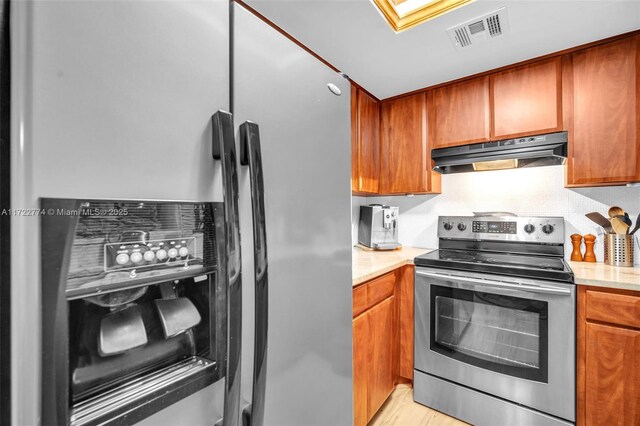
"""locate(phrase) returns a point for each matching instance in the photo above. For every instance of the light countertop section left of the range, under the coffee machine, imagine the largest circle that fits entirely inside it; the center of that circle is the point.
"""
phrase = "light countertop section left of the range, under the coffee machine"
(368, 264)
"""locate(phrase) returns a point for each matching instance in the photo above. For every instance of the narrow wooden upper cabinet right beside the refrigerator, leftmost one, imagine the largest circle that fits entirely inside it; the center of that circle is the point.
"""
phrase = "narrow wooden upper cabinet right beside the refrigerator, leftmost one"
(365, 142)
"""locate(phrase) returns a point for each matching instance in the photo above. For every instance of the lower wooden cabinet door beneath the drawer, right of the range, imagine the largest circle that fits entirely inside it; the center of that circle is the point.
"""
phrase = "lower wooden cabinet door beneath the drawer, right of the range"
(612, 375)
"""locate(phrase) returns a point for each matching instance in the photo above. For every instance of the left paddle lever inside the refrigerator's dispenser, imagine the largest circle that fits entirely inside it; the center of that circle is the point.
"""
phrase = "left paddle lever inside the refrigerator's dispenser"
(120, 331)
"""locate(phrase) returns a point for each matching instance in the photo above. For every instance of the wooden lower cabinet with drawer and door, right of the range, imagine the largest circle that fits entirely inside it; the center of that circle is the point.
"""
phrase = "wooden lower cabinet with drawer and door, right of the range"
(608, 361)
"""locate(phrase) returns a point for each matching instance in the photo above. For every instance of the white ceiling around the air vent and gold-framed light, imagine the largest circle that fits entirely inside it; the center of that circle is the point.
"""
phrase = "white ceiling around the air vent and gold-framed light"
(353, 36)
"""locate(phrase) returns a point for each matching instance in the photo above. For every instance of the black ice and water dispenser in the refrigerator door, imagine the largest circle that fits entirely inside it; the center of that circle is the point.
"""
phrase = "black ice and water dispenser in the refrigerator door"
(135, 317)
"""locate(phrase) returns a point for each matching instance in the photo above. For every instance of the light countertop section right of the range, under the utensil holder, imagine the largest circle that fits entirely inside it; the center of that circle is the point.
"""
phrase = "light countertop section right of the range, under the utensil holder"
(601, 275)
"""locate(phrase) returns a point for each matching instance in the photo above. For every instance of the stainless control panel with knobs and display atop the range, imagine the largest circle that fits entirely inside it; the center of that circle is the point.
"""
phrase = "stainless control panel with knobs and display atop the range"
(537, 236)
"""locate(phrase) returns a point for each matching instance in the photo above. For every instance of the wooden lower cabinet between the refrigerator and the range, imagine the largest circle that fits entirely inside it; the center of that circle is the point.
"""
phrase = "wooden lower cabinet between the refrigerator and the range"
(382, 340)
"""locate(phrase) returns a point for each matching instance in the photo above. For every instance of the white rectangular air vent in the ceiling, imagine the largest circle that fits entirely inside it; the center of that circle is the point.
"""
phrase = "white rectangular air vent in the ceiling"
(480, 29)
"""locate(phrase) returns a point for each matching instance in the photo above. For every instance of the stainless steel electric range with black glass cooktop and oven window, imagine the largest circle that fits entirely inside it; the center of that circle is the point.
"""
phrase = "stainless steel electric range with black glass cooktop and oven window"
(495, 322)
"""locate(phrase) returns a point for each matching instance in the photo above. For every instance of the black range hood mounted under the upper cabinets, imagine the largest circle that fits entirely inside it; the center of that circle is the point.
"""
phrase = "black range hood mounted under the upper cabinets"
(531, 151)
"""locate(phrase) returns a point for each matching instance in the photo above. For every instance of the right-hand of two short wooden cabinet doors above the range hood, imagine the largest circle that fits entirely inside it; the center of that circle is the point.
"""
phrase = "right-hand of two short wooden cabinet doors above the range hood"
(527, 100)
